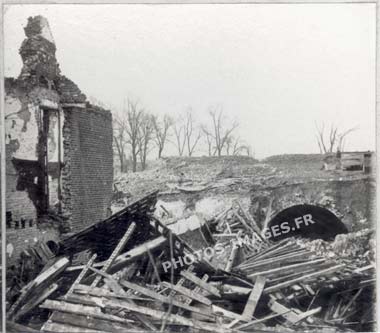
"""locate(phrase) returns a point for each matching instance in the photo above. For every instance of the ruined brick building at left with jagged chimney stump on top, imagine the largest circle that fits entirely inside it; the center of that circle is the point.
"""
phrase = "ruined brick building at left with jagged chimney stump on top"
(59, 165)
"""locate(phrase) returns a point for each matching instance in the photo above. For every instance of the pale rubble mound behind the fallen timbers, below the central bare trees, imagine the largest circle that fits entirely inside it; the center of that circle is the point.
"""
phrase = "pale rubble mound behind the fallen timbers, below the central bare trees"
(182, 176)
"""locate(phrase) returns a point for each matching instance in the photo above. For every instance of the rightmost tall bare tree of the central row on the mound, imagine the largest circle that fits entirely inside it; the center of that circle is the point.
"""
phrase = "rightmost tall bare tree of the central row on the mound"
(220, 132)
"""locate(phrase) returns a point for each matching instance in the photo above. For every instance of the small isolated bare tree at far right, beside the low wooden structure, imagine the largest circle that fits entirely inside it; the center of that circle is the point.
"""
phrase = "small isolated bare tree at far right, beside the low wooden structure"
(333, 141)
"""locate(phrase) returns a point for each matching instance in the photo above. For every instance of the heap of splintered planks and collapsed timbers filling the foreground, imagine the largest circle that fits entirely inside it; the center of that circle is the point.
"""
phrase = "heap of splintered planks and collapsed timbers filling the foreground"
(131, 272)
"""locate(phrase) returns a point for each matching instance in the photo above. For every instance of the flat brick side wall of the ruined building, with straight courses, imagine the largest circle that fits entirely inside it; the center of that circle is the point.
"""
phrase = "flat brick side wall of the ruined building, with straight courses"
(88, 172)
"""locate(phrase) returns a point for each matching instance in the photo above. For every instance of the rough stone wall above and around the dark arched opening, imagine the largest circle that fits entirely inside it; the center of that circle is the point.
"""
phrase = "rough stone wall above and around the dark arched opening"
(353, 201)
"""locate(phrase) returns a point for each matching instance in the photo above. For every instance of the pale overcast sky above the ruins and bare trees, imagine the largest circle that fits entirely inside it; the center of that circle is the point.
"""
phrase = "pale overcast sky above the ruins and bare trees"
(278, 69)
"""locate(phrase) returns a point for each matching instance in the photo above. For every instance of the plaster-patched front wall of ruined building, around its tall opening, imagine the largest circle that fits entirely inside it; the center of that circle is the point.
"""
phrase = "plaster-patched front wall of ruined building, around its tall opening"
(21, 150)
